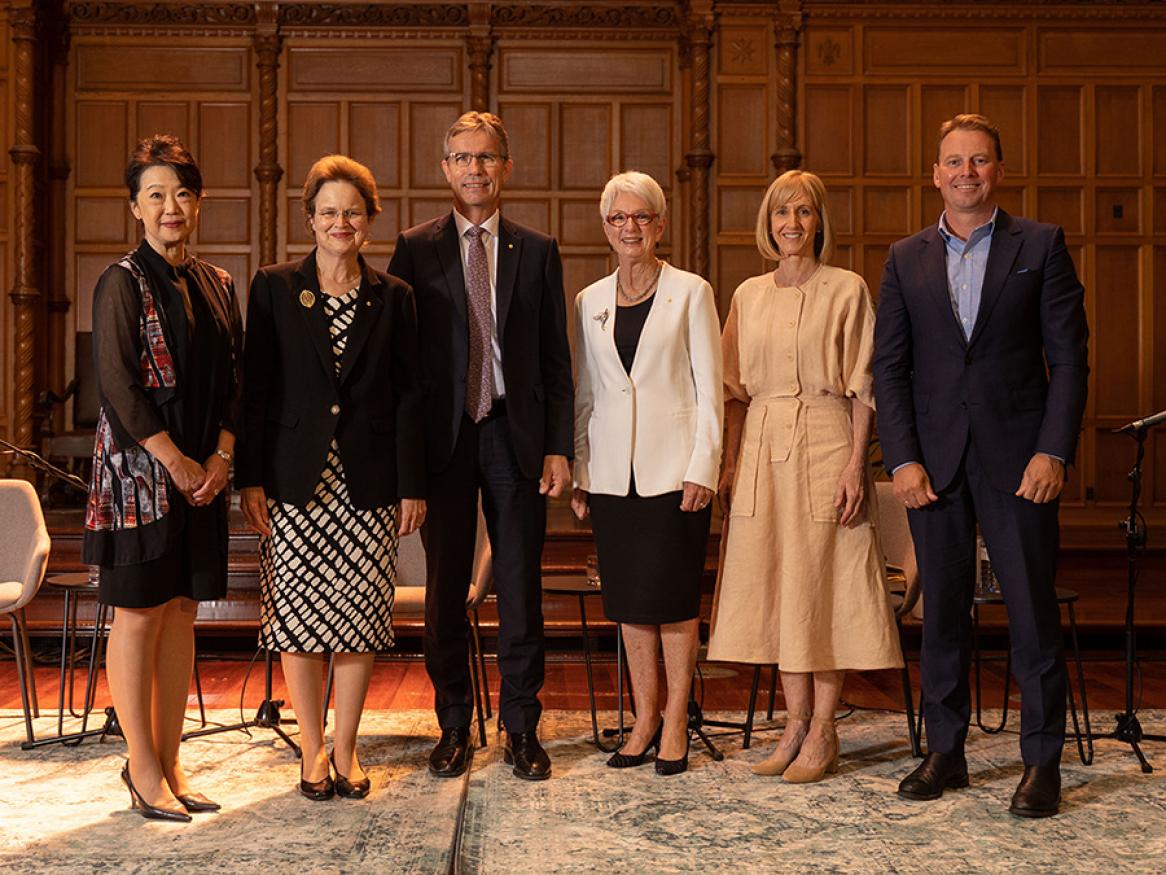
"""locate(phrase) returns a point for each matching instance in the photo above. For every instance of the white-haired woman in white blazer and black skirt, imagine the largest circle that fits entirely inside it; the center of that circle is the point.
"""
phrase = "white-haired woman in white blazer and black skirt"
(648, 450)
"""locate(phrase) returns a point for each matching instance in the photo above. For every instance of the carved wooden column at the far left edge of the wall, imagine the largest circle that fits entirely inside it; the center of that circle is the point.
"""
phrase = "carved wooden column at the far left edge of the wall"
(25, 292)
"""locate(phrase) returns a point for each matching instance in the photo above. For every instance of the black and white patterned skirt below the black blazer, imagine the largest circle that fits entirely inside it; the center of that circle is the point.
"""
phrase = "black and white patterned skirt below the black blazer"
(327, 572)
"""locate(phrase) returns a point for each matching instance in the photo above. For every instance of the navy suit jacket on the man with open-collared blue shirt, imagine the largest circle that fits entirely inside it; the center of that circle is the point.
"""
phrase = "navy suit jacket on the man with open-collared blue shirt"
(935, 389)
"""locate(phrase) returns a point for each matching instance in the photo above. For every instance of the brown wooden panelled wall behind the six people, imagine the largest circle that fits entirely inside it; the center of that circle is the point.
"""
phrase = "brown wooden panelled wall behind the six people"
(711, 97)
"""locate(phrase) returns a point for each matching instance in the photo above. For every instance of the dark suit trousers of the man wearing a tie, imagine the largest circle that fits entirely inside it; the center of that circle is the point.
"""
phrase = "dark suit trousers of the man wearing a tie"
(516, 523)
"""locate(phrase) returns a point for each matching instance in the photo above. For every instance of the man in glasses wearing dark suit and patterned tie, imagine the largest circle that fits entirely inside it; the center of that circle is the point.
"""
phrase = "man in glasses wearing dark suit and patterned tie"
(500, 419)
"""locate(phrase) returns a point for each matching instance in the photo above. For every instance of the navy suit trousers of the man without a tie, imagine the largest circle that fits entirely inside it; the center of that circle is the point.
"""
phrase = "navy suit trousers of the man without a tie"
(1023, 542)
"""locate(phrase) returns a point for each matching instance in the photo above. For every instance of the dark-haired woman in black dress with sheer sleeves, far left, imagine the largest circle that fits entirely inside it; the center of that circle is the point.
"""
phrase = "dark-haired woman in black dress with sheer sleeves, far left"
(167, 340)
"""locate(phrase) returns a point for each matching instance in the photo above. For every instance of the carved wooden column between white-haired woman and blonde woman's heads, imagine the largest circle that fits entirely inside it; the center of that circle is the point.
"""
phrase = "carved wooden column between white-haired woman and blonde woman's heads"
(699, 157)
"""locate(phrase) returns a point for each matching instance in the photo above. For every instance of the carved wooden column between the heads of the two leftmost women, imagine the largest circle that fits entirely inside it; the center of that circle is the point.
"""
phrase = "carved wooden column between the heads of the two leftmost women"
(269, 171)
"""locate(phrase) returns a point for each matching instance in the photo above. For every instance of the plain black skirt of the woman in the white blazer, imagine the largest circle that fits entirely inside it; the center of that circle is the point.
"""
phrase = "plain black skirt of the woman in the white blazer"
(651, 557)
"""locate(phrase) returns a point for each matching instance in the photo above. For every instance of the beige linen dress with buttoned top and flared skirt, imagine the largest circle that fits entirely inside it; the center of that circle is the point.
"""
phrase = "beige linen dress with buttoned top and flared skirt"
(795, 587)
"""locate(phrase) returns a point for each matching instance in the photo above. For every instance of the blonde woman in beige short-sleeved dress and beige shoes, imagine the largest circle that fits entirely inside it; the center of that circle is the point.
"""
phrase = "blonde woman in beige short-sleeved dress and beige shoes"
(803, 583)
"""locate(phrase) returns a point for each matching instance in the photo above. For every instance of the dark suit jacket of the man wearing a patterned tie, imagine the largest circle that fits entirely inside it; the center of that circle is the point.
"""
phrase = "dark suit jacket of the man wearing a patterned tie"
(532, 332)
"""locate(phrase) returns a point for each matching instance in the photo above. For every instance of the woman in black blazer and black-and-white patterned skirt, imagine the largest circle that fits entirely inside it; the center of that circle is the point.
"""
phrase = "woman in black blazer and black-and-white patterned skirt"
(332, 466)
